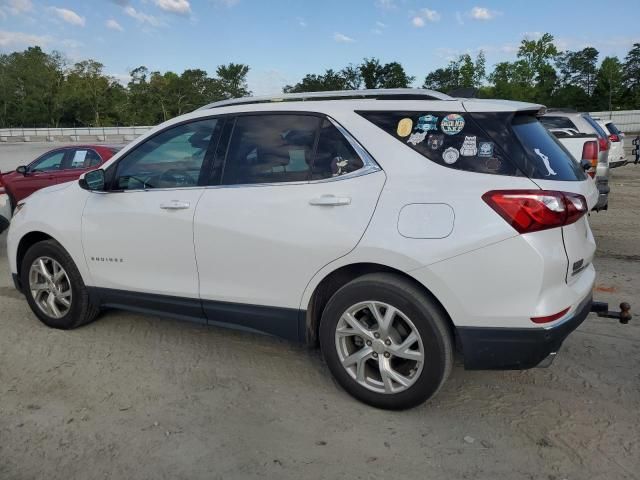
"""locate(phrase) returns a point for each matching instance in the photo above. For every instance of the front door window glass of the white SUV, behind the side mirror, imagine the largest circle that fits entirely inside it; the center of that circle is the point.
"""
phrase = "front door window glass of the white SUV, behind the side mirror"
(170, 159)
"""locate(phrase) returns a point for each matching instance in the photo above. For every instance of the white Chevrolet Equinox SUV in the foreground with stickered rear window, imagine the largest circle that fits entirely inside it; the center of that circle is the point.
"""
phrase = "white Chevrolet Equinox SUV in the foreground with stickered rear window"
(389, 227)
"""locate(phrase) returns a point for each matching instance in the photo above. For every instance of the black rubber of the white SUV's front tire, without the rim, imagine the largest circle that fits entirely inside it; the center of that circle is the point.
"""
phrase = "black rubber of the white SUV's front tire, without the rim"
(82, 310)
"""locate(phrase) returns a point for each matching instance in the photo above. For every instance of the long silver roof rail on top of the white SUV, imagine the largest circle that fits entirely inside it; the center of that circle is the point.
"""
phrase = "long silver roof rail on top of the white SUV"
(375, 94)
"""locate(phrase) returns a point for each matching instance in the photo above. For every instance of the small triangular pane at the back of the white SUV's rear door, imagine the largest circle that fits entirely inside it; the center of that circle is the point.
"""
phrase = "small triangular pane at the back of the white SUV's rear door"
(334, 156)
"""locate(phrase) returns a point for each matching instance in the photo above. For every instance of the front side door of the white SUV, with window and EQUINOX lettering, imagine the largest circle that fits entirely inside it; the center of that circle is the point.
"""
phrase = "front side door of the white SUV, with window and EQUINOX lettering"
(138, 236)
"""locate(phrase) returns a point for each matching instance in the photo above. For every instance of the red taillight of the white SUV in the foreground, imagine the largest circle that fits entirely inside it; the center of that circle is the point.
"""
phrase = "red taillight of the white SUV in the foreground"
(534, 210)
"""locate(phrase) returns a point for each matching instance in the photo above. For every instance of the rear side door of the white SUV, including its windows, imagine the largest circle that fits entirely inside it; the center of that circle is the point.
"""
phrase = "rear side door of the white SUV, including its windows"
(294, 194)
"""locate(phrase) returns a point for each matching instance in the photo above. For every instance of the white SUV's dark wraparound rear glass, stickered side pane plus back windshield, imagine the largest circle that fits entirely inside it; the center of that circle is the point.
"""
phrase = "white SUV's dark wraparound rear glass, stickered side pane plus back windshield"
(493, 143)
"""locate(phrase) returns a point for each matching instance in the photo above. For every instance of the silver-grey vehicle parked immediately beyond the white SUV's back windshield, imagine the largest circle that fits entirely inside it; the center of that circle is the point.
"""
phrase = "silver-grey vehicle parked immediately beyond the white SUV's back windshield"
(583, 124)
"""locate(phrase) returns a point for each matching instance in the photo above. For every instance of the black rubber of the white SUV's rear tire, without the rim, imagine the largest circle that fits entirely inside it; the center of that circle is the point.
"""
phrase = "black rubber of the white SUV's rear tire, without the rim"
(428, 318)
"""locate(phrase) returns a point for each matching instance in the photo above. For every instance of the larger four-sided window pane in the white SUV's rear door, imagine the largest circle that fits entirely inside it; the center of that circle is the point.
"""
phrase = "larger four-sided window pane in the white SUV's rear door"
(270, 149)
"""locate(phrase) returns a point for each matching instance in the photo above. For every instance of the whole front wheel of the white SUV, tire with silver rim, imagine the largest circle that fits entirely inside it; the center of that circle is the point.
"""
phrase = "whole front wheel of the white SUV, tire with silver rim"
(80, 310)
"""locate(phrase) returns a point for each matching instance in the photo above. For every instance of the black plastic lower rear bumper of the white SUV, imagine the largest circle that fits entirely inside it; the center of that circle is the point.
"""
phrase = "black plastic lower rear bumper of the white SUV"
(516, 348)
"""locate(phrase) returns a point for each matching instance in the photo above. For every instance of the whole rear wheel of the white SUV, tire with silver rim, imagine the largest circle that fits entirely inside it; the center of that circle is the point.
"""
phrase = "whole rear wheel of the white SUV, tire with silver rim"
(389, 374)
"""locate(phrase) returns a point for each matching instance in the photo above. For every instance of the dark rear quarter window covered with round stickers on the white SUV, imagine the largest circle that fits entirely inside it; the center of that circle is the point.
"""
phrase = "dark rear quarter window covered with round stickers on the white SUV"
(453, 140)
